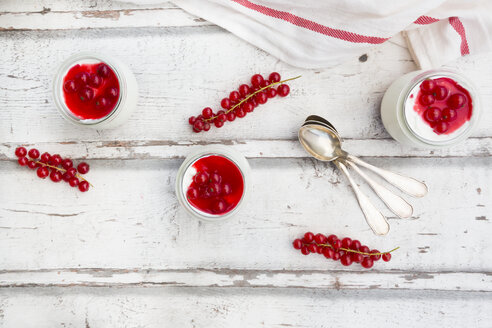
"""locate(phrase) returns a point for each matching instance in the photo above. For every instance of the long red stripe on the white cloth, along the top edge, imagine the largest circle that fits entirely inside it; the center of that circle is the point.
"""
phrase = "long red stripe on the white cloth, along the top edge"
(310, 25)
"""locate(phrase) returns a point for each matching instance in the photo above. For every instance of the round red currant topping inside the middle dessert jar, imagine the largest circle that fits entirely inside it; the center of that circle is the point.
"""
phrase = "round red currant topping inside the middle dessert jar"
(217, 186)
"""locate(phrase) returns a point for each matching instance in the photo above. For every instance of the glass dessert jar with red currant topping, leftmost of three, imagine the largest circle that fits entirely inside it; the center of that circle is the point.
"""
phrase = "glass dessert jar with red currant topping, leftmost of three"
(95, 90)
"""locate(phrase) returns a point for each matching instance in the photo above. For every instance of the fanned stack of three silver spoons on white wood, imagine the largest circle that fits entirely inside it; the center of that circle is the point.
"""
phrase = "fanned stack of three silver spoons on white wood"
(321, 140)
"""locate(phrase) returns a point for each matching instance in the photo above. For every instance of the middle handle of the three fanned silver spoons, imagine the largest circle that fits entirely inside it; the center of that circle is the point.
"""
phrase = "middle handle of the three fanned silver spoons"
(395, 203)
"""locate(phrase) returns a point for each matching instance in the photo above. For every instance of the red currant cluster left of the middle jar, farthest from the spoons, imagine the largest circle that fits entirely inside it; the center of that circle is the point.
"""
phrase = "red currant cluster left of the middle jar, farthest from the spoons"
(54, 166)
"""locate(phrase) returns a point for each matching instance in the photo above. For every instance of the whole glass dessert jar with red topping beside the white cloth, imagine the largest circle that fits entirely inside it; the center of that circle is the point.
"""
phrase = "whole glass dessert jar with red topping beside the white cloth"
(431, 109)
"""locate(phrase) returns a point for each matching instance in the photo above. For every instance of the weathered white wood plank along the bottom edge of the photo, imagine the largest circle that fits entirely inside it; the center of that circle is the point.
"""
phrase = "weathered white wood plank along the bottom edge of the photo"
(239, 307)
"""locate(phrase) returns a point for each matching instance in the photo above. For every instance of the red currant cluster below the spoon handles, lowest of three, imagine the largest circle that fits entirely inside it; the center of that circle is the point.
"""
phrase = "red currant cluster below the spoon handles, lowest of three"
(346, 250)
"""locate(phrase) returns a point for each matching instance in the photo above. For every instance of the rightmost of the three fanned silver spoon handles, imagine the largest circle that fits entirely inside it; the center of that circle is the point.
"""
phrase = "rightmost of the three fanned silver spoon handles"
(406, 184)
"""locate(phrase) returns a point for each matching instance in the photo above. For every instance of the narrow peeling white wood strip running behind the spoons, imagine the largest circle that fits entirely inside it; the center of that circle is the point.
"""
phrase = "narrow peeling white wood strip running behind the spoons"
(166, 149)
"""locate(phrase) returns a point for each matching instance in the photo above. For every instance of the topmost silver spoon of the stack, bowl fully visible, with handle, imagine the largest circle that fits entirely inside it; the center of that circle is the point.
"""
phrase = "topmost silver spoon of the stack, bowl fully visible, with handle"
(324, 144)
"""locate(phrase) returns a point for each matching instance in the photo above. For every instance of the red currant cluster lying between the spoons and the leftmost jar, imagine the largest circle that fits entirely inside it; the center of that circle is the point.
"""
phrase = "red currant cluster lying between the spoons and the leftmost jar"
(242, 101)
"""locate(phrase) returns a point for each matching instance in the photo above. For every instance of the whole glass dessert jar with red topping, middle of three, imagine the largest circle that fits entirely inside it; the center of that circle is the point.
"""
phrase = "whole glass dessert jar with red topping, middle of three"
(213, 182)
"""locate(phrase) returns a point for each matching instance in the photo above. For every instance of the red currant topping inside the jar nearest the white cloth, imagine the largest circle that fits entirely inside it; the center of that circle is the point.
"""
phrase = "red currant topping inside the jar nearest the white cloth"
(443, 104)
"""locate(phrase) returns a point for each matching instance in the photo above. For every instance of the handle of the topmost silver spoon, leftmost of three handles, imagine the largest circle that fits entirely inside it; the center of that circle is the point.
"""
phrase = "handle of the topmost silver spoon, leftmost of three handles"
(374, 218)
